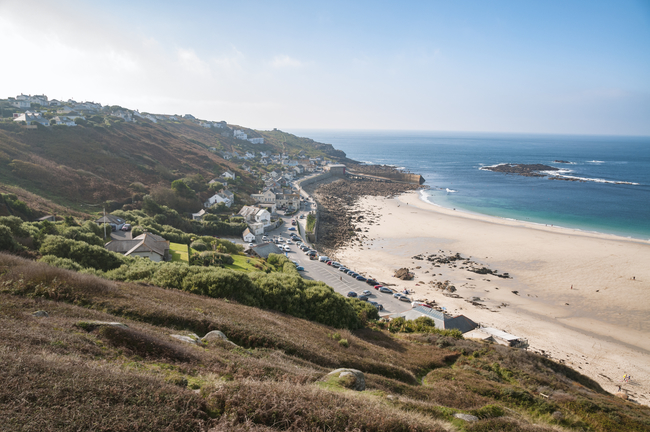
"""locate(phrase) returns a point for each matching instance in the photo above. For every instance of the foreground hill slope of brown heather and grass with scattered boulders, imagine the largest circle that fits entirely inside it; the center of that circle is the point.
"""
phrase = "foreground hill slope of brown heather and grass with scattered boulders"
(65, 371)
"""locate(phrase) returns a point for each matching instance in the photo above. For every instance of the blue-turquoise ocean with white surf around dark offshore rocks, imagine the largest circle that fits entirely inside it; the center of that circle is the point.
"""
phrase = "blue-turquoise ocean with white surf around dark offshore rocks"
(612, 195)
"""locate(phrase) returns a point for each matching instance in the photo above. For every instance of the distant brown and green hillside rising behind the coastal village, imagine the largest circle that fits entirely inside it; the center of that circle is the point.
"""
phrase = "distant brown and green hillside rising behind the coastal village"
(102, 156)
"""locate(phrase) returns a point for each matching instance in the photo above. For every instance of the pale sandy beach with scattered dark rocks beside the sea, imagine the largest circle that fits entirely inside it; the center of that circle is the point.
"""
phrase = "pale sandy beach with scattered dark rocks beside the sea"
(583, 298)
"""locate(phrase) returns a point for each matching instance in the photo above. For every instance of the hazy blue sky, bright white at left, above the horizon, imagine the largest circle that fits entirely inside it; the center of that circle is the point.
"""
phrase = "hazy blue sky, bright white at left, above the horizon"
(561, 67)
